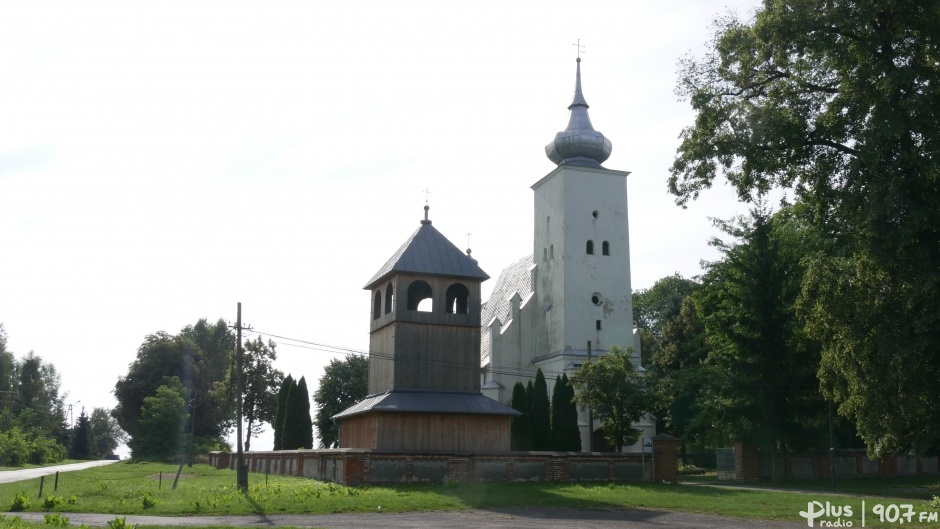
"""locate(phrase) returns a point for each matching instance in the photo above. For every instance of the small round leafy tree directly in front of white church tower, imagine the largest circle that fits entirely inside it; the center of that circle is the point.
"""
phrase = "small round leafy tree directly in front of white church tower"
(616, 392)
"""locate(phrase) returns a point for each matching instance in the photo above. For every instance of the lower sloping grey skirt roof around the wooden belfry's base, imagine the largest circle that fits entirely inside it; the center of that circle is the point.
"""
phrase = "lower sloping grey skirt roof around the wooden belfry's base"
(428, 402)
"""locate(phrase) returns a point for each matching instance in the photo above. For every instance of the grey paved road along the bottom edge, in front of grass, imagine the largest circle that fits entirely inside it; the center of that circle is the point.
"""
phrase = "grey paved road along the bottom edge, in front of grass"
(517, 518)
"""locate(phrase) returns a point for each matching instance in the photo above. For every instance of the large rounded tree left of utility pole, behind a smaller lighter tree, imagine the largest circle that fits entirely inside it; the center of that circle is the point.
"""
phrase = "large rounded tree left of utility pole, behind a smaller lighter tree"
(200, 357)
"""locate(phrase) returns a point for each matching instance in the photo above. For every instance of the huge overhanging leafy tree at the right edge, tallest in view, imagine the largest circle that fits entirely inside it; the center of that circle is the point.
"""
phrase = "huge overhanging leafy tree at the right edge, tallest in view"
(839, 103)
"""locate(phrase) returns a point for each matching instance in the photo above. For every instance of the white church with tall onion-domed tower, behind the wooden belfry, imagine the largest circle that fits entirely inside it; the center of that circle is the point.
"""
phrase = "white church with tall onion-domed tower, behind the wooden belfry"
(572, 297)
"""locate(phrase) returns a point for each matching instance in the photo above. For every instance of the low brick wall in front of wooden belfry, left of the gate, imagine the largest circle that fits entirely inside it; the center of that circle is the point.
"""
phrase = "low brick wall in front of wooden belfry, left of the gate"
(354, 466)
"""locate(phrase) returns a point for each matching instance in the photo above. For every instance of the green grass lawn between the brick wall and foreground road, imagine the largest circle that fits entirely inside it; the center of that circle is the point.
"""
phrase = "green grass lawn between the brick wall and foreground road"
(135, 488)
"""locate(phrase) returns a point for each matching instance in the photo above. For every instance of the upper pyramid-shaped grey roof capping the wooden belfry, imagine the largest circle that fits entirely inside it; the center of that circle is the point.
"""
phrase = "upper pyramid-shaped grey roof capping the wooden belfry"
(427, 251)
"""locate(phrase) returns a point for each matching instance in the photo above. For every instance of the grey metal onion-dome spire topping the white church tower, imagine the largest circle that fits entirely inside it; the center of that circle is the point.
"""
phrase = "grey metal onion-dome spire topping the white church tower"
(579, 143)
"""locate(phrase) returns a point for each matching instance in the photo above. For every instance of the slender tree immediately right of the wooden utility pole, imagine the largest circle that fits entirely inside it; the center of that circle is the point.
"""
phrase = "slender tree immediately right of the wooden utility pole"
(261, 383)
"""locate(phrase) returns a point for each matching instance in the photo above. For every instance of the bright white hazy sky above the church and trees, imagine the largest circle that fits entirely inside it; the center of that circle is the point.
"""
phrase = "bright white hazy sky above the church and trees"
(161, 162)
